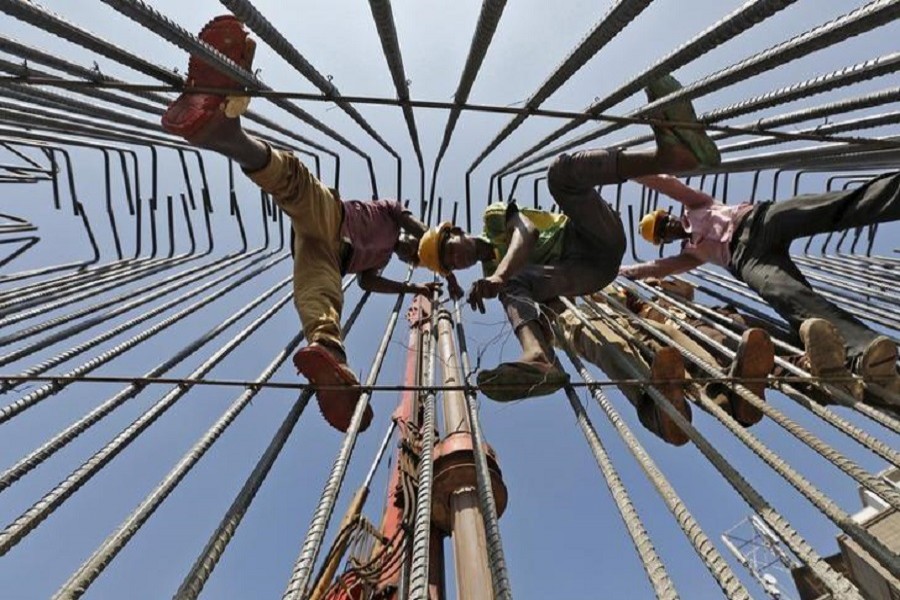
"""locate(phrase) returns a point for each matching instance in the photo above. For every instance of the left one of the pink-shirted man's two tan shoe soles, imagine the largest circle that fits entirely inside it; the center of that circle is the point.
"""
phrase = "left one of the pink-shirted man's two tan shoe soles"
(827, 356)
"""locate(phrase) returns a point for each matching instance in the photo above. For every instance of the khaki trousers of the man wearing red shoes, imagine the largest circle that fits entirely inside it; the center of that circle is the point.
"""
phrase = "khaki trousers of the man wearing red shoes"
(316, 216)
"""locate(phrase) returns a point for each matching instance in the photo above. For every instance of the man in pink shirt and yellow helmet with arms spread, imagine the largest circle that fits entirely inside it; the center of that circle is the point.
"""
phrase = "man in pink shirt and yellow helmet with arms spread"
(753, 243)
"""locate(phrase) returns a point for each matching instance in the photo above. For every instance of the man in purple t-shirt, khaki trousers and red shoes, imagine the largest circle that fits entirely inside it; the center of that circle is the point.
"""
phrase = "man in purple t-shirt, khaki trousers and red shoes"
(332, 237)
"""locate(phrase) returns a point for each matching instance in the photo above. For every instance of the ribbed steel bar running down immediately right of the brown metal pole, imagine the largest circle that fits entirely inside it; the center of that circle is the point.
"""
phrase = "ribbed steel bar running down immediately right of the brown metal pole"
(499, 572)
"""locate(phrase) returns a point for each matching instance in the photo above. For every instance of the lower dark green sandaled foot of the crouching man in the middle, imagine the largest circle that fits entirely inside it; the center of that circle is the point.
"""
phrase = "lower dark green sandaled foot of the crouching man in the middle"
(521, 379)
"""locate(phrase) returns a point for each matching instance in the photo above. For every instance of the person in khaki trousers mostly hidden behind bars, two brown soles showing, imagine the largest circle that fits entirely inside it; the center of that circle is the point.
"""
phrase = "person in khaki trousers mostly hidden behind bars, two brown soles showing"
(607, 345)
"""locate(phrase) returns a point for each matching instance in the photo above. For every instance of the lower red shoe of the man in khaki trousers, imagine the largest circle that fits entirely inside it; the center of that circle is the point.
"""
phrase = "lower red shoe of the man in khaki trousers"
(319, 366)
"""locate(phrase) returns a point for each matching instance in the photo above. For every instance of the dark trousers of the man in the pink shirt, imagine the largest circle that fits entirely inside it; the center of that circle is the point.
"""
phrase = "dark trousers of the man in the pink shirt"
(760, 255)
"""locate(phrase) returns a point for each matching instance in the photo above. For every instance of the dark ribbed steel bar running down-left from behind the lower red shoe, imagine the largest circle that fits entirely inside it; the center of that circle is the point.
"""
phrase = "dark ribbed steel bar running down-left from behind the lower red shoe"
(206, 562)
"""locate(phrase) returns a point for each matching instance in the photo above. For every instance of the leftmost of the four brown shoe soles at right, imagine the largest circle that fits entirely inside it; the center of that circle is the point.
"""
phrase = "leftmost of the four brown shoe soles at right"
(667, 365)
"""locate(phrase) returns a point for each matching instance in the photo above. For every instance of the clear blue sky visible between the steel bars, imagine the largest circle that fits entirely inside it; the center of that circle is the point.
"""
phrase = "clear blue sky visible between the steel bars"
(562, 535)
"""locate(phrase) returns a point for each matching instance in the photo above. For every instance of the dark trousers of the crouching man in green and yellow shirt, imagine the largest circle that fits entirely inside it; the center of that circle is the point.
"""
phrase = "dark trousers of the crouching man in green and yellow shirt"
(594, 241)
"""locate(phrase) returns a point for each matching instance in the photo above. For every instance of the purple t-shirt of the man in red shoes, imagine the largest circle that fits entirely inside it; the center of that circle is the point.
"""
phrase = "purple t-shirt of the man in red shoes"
(372, 229)
